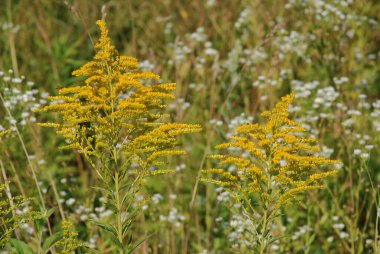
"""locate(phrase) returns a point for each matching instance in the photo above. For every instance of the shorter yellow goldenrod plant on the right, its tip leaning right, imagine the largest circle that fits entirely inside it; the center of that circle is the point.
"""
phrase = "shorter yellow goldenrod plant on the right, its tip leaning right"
(270, 165)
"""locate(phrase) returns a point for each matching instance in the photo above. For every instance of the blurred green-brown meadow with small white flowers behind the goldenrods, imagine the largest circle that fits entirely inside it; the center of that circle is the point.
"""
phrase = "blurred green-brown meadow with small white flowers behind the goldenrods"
(231, 60)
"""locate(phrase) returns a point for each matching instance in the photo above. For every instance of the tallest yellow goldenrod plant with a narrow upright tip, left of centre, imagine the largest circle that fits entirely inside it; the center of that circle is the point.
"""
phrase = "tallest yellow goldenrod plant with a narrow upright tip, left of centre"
(117, 120)
